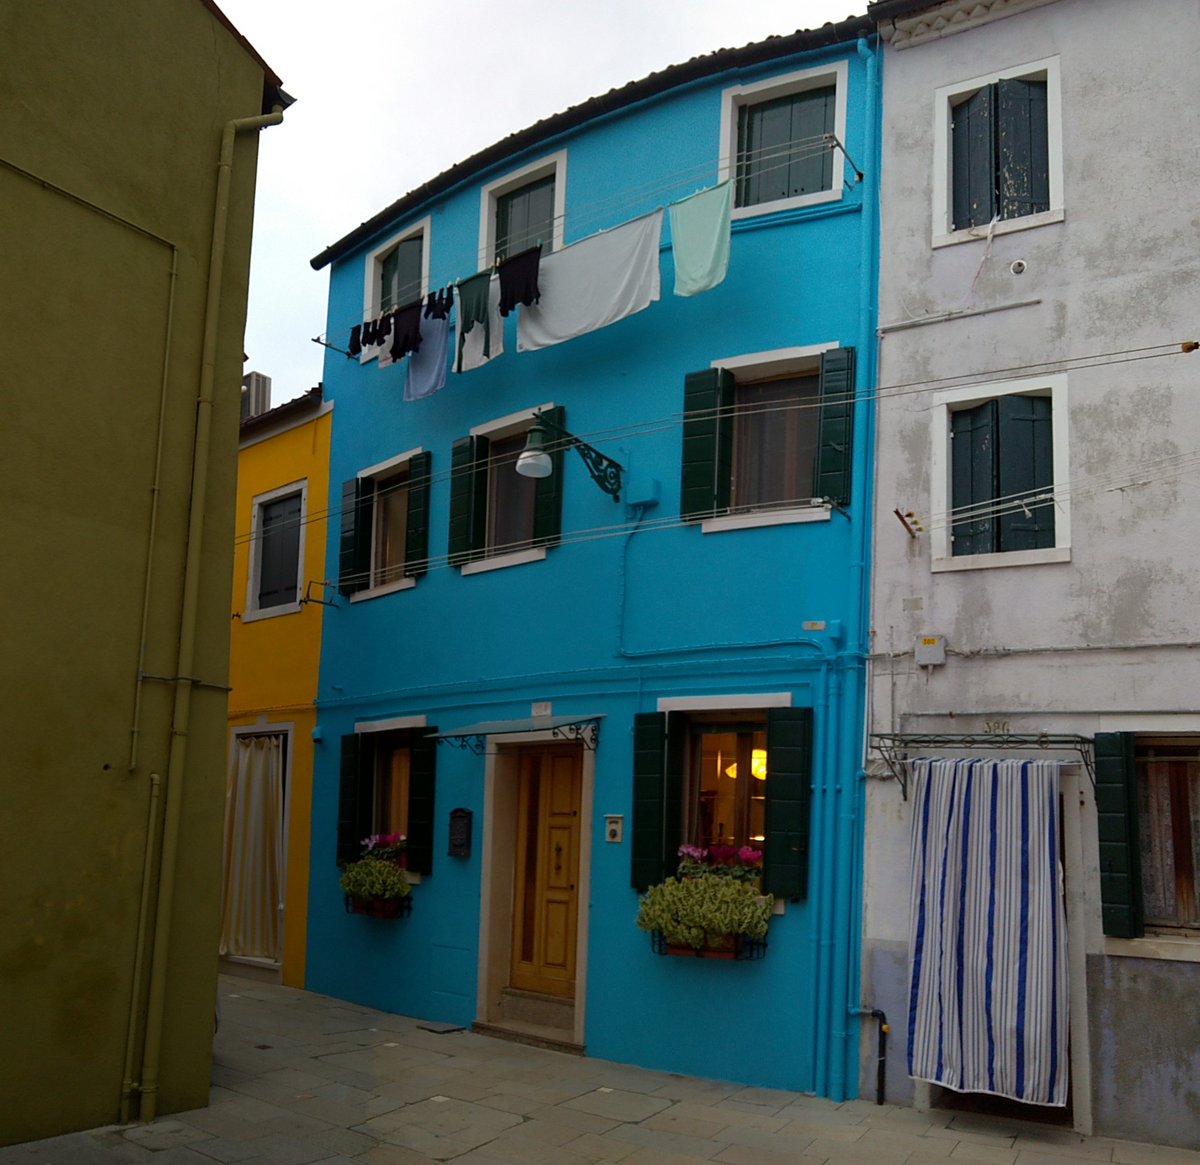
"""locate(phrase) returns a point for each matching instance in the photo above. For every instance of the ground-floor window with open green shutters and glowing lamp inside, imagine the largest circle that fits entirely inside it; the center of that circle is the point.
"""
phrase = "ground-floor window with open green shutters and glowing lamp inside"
(724, 779)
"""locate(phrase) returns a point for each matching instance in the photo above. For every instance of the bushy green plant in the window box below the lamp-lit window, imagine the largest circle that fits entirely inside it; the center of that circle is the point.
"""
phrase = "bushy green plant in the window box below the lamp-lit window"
(700, 910)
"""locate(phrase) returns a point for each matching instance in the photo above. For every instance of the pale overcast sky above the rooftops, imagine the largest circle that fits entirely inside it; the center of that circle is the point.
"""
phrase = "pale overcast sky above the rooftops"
(391, 93)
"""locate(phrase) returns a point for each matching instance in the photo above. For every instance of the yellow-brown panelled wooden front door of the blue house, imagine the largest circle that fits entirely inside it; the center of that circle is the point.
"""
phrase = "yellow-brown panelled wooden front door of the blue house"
(545, 906)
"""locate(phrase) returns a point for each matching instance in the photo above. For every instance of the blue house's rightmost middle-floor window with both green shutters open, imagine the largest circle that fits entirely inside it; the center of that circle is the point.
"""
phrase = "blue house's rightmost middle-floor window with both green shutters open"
(753, 445)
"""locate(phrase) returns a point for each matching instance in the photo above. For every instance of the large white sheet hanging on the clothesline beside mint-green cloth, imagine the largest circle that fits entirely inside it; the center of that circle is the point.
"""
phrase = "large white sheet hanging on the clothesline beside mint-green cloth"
(595, 284)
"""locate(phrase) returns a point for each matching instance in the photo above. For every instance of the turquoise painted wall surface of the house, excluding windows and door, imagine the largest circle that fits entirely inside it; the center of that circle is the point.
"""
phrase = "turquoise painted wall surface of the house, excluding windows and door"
(609, 626)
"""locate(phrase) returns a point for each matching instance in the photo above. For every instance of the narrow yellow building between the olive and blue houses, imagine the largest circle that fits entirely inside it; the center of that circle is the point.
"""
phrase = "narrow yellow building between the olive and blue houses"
(274, 658)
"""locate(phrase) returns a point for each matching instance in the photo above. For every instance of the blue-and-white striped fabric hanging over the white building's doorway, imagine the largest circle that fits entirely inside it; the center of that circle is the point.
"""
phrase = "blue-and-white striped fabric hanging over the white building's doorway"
(988, 936)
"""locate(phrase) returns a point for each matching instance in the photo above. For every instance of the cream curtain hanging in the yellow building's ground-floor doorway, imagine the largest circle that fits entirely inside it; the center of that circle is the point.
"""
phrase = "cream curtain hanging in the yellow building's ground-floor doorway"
(254, 849)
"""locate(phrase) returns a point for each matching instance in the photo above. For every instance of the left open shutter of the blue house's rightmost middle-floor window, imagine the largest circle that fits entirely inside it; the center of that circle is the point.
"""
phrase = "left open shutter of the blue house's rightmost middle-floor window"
(707, 443)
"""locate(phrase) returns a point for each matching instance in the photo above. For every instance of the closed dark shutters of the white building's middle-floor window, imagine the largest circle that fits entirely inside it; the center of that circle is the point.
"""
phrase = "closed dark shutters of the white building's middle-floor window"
(1003, 476)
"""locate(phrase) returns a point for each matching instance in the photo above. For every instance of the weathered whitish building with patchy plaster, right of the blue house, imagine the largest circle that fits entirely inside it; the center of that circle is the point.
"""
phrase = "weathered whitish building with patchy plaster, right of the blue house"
(1040, 442)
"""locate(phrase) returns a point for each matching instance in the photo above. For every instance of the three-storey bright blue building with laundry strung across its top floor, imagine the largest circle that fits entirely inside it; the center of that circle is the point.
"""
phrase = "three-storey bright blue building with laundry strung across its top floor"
(550, 683)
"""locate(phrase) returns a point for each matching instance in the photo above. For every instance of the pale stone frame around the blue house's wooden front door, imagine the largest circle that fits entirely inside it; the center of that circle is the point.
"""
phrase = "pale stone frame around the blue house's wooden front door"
(497, 866)
